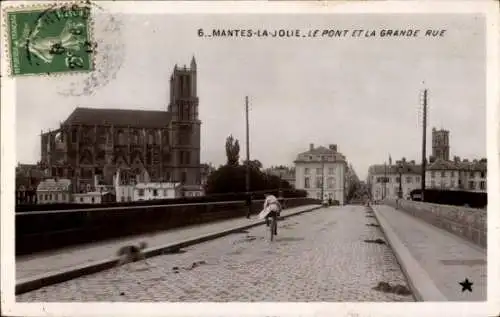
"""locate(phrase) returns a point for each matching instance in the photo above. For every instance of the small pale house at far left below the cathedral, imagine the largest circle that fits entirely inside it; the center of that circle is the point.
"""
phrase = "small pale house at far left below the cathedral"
(51, 191)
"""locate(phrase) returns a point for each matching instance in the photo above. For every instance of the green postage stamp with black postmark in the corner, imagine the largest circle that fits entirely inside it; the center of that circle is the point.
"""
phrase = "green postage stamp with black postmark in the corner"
(50, 39)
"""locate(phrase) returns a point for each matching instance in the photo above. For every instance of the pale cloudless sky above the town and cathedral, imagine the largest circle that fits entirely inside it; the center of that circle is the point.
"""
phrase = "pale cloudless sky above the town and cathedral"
(363, 94)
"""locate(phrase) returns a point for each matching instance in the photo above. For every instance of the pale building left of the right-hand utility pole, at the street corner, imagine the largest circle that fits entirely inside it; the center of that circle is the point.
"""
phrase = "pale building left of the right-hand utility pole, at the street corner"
(410, 179)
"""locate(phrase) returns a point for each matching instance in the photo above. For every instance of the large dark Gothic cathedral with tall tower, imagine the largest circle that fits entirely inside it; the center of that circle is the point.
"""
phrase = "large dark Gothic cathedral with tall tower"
(98, 142)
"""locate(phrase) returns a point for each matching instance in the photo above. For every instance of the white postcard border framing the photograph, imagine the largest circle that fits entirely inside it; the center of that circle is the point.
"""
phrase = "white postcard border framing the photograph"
(8, 162)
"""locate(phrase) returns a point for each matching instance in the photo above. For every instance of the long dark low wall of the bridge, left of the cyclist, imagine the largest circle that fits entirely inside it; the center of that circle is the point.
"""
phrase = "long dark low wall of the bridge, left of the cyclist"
(47, 230)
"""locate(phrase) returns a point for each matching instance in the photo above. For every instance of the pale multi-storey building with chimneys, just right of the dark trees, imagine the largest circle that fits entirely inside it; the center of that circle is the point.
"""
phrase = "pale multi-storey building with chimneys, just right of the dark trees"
(320, 170)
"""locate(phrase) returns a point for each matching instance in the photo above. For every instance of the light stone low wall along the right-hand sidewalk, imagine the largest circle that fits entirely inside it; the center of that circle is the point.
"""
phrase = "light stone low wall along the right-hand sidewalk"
(468, 223)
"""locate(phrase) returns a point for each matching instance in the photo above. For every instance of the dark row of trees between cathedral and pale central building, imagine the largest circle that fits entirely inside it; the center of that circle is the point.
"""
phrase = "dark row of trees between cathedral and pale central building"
(231, 177)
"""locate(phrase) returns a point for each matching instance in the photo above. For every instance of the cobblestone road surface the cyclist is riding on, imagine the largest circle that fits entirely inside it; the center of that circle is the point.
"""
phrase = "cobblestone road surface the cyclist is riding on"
(317, 256)
